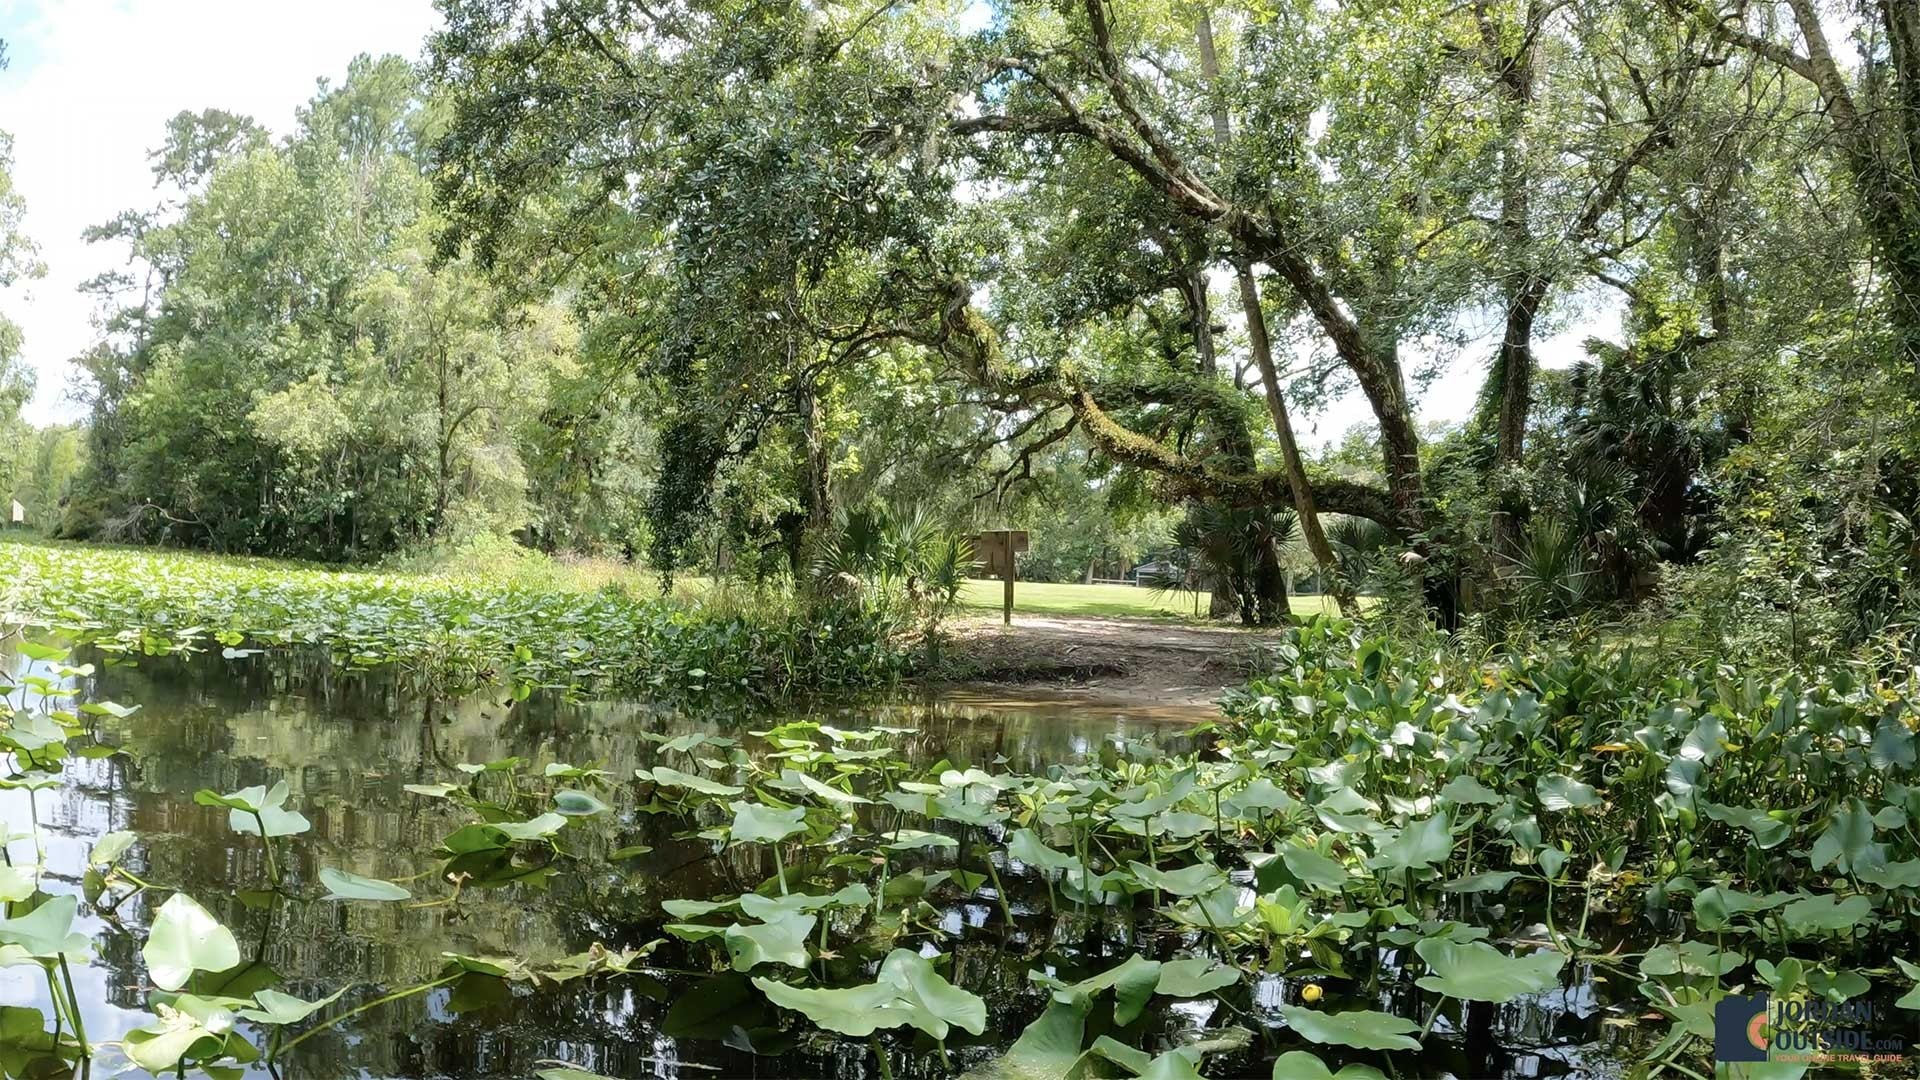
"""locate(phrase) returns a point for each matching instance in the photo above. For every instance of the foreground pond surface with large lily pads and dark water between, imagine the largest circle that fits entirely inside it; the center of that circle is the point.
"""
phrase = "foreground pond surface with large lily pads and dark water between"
(1372, 866)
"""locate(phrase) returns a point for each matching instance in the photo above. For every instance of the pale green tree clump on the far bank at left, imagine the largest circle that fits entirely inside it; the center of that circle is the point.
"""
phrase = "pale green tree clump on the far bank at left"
(291, 370)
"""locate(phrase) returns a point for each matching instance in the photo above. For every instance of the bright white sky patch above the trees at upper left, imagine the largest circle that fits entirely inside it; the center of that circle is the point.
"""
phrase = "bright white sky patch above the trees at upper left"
(89, 93)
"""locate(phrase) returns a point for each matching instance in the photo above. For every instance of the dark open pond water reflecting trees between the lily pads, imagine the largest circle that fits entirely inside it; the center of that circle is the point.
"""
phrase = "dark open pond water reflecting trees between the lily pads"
(347, 745)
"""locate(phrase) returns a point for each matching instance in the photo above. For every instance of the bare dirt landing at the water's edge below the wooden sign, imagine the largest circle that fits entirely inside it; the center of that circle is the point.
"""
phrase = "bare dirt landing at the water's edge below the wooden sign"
(1122, 660)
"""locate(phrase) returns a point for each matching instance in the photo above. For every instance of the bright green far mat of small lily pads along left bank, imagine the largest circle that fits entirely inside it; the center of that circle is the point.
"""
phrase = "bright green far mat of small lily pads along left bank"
(448, 631)
